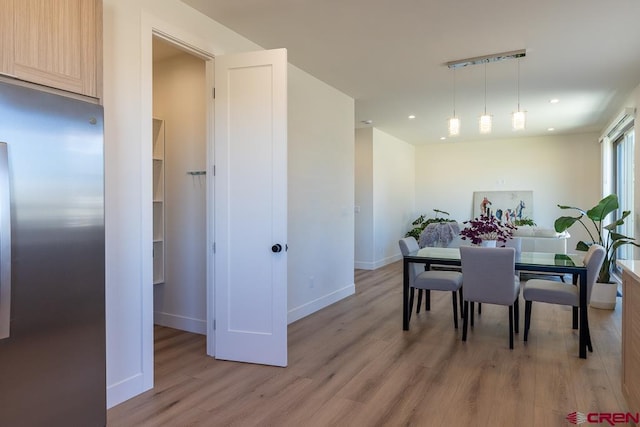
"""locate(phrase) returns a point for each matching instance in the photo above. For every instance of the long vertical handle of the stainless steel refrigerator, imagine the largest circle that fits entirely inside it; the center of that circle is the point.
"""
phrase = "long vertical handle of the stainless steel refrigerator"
(5, 244)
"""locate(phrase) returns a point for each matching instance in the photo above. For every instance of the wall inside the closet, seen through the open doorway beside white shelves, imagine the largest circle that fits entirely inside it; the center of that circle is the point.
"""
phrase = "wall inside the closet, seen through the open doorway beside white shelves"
(179, 99)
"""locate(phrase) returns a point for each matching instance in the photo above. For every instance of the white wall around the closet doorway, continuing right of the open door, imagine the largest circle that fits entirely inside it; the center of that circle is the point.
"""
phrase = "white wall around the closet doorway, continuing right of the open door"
(321, 181)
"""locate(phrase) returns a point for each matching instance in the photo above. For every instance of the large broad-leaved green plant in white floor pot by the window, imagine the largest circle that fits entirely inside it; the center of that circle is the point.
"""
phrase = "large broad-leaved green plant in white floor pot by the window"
(605, 291)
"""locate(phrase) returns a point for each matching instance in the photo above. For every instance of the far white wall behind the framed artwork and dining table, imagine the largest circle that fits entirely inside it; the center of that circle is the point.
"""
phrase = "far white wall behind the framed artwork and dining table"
(558, 169)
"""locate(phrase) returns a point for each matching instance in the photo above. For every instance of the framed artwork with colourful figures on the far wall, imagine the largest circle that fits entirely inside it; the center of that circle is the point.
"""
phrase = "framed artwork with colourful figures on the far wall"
(506, 206)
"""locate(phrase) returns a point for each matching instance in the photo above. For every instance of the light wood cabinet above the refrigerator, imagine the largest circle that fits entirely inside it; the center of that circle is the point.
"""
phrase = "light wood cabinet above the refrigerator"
(55, 43)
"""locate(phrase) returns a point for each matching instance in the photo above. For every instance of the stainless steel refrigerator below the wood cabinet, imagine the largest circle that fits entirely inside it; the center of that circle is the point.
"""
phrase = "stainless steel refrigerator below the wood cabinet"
(52, 315)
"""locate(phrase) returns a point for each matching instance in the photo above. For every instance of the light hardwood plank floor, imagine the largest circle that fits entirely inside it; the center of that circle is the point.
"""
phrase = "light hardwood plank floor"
(351, 364)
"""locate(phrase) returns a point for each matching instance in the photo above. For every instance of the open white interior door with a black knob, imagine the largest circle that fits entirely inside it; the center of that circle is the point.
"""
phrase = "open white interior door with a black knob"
(250, 184)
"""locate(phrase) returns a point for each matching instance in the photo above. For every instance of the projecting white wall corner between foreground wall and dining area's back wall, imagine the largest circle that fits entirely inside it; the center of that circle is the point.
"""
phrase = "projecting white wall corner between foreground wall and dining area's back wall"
(386, 171)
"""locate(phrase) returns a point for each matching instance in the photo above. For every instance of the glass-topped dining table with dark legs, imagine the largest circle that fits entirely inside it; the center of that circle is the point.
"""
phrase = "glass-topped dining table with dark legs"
(534, 262)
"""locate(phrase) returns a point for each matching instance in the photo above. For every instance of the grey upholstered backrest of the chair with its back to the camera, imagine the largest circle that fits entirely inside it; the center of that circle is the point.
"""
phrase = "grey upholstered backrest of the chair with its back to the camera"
(488, 274)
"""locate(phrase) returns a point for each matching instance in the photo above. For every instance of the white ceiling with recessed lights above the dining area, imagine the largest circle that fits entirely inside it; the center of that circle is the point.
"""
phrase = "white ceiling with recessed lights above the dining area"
(391, 56)
